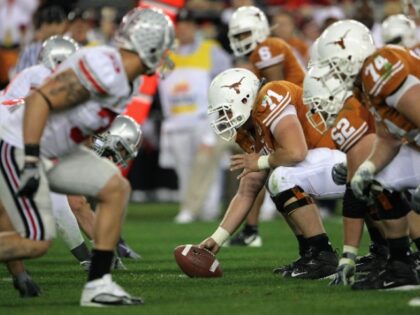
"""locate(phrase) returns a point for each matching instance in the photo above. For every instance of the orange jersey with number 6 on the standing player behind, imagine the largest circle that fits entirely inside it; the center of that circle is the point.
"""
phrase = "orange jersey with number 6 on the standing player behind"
(275, 51)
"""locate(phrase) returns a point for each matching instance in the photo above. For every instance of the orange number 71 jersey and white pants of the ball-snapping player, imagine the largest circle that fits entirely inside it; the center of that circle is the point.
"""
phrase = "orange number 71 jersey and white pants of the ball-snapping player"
(276, 100)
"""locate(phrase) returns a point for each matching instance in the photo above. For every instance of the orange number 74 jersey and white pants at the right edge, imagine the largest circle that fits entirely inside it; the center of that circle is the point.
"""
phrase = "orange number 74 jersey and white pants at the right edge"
(385, 76)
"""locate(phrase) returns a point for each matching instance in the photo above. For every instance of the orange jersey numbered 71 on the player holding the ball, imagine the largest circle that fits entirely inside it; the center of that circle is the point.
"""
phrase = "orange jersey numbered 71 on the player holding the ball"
(272, 100)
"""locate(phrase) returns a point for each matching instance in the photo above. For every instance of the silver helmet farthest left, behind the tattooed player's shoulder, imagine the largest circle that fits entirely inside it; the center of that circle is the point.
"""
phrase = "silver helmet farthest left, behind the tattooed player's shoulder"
(56, 49)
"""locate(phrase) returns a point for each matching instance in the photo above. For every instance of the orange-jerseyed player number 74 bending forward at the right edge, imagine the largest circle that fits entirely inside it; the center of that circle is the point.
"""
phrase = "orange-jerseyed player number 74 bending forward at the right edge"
(385, 80)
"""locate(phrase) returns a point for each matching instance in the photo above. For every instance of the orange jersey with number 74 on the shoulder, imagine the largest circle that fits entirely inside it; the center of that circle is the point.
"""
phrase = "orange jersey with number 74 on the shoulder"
(382, 75)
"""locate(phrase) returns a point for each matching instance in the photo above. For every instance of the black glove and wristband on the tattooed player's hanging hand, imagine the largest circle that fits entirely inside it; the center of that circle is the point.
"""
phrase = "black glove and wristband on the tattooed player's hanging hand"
(29, 176)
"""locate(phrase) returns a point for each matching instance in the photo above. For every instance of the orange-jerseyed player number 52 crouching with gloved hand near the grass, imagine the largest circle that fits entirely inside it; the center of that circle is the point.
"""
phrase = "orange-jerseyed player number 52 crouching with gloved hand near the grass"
(352, 128)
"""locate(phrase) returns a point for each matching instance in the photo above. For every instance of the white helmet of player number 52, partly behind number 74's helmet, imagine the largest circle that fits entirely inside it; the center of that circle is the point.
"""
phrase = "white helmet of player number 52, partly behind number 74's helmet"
(324, 94)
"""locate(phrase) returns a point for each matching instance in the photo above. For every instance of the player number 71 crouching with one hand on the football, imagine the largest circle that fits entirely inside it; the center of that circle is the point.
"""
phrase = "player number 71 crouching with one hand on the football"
(269, 123)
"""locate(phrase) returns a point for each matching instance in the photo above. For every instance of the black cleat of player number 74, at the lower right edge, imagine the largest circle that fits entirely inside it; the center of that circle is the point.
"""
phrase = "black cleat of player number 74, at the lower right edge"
(397, 275)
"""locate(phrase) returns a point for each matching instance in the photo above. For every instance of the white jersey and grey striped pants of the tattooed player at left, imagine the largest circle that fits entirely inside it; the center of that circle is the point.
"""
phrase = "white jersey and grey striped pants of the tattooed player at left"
(76, 169)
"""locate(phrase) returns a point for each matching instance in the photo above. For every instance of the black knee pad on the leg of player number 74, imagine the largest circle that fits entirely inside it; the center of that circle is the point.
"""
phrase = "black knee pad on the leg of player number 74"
(391, 205)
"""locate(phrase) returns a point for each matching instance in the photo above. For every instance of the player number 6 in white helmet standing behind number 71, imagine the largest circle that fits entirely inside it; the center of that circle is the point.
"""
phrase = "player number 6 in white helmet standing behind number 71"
(271, 58)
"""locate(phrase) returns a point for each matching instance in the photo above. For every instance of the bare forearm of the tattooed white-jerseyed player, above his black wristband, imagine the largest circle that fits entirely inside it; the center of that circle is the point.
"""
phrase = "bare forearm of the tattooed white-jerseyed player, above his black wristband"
(35, 118)
